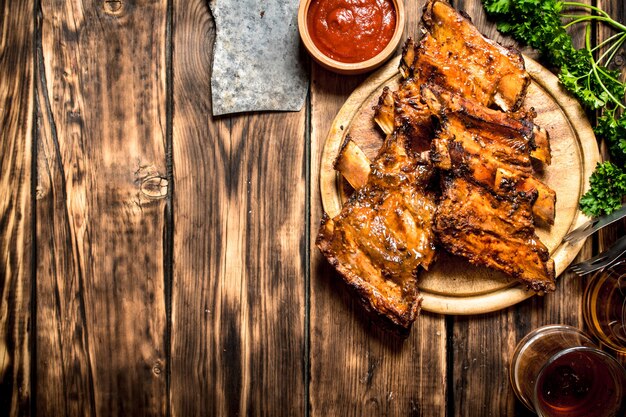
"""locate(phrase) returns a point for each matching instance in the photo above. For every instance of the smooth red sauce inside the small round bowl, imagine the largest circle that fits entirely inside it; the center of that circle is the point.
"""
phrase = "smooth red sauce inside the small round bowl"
(351, 30)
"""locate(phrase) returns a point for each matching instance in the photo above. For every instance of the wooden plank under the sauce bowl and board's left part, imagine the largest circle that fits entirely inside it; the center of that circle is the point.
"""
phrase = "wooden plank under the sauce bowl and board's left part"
(356, 368)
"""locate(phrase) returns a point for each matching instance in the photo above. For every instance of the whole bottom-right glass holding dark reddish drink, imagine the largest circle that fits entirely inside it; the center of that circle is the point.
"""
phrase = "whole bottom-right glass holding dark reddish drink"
(558, 371)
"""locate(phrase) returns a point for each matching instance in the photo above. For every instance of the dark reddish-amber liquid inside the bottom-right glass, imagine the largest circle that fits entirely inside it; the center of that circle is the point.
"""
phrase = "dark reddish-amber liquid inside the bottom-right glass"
(580, 384)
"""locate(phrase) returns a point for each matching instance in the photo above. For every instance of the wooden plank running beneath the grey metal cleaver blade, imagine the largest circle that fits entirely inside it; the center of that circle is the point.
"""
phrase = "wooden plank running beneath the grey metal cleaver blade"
(238, 301)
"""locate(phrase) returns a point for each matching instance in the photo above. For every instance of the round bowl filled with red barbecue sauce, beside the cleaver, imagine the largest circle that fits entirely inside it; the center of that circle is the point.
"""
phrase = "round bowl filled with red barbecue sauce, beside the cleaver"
(351, 36)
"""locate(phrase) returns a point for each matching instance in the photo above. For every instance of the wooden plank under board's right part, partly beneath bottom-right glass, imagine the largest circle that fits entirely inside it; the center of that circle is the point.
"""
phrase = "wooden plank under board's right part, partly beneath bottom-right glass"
(482, 346)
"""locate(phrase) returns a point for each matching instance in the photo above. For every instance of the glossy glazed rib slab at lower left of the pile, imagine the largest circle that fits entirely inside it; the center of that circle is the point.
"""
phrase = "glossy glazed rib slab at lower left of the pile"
(384, 232)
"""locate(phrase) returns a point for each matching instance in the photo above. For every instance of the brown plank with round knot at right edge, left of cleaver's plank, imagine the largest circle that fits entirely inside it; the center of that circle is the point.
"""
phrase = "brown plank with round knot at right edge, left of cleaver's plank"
(101, 318)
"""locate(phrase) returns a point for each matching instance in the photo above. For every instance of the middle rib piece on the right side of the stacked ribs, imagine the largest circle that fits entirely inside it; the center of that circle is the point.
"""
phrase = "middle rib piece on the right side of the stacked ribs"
(491, 147)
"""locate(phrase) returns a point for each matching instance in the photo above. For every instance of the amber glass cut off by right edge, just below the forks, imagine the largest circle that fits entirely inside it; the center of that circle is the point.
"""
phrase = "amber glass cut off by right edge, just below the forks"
(604, 309)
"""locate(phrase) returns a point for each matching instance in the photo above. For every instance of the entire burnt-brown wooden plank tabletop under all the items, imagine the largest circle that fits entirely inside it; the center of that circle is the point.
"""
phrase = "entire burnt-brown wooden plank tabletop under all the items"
(156, 260)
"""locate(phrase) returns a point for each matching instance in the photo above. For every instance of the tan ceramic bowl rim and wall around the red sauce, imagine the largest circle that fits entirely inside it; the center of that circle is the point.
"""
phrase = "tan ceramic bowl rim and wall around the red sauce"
(357, 67)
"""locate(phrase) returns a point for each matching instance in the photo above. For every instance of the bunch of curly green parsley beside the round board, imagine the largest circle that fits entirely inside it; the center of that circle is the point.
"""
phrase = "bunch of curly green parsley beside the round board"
(542, 24)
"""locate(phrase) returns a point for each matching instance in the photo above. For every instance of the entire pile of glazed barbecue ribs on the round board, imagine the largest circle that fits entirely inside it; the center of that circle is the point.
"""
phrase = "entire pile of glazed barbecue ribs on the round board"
(441, 120)
